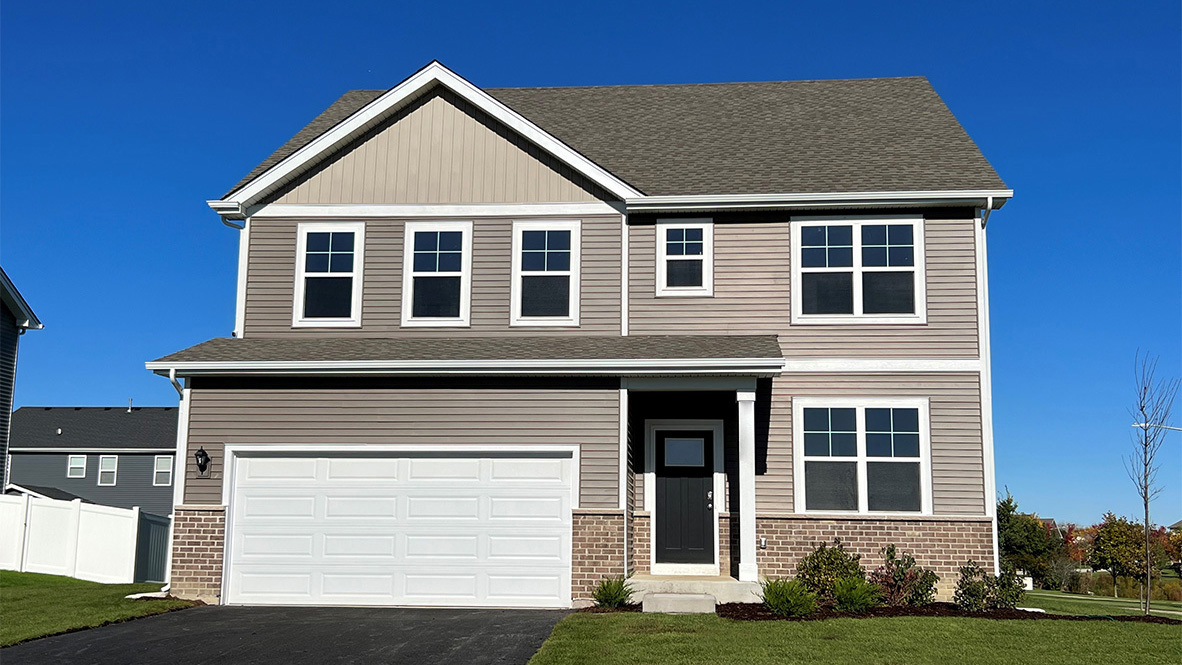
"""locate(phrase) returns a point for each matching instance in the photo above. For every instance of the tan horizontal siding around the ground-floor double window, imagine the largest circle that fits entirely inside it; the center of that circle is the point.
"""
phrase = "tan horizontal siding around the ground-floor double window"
(958, 470)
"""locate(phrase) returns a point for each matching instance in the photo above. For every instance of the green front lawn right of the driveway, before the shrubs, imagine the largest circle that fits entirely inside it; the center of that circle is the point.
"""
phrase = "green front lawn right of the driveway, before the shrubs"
(635, 640)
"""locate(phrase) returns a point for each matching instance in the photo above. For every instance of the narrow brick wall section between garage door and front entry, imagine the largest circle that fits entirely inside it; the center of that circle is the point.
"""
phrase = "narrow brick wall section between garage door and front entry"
(598, 550)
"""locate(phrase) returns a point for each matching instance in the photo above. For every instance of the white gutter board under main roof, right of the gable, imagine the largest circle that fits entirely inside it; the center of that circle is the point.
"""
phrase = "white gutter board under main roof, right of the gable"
(815, 200)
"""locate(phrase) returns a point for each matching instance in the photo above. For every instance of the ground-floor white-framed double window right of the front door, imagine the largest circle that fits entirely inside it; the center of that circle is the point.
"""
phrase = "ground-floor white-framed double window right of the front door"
(862, 455)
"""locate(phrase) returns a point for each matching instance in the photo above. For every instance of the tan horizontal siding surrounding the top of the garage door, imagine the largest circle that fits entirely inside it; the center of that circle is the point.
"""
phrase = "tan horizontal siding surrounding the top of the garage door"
(411, 416)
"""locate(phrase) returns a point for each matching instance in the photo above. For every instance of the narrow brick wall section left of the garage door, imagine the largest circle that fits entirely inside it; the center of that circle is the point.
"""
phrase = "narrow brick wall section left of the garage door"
(198, 544)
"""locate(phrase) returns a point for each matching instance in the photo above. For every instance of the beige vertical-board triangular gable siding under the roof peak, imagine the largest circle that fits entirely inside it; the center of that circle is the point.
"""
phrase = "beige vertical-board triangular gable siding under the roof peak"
(440, 151)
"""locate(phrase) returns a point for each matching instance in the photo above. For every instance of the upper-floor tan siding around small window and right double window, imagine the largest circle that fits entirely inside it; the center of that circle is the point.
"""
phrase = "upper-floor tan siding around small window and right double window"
(752, 296)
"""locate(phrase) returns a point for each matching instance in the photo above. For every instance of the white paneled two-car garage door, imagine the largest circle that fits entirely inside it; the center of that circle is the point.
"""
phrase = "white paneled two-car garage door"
(466, 530)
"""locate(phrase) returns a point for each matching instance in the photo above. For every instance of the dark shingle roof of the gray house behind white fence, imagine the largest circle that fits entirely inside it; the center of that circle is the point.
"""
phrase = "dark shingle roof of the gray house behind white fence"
(94, 427)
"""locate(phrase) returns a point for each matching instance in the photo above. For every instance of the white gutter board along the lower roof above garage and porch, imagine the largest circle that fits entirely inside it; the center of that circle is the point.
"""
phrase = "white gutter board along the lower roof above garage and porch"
(762, 367)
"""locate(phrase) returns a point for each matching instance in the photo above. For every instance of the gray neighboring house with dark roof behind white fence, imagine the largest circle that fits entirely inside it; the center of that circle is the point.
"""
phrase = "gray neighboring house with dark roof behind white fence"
(107, 455)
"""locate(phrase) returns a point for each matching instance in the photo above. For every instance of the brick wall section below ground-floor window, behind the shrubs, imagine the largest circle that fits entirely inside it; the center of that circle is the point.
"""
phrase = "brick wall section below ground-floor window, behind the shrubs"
(940, 545)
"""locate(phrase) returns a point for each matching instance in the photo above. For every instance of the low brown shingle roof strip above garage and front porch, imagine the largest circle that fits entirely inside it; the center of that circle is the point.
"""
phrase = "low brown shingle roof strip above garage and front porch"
(573, 348)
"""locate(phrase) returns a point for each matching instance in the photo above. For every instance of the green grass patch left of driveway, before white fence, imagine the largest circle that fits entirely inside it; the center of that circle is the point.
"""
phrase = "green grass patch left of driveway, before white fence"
(35, 607)
